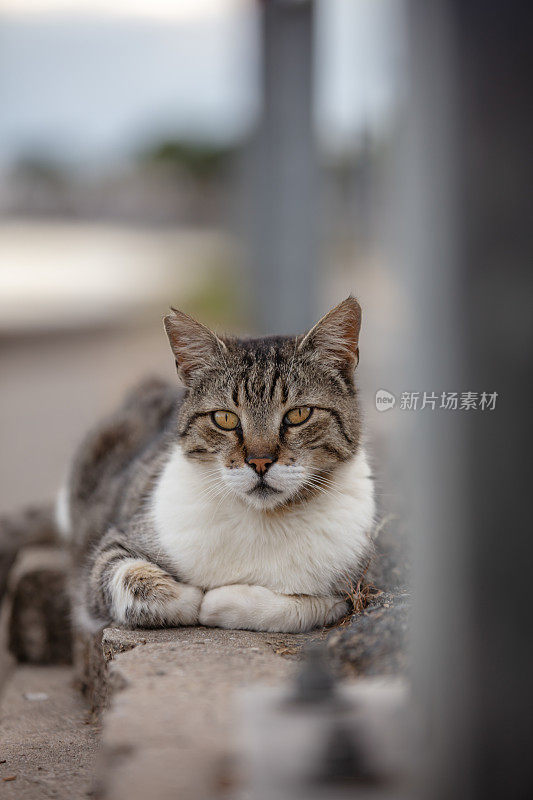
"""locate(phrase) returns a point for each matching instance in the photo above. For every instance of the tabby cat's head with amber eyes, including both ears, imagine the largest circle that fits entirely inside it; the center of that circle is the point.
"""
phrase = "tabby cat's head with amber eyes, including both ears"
(269, 419)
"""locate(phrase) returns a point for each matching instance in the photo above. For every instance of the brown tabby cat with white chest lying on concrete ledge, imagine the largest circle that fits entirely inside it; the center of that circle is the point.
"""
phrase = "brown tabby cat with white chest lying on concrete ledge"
(242, 499)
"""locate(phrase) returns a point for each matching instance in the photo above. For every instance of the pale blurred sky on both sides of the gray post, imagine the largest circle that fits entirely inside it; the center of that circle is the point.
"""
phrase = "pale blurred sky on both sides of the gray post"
(91, 82)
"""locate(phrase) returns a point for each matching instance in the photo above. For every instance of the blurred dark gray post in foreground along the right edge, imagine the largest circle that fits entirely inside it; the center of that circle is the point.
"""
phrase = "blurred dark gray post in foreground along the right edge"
(470, 244)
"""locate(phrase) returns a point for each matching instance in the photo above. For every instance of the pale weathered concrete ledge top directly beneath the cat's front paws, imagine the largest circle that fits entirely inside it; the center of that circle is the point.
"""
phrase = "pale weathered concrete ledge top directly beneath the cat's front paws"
(170, 728)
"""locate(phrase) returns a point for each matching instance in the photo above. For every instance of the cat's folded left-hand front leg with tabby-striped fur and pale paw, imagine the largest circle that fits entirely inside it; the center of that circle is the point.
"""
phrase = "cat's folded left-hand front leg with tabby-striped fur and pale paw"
(135, 592)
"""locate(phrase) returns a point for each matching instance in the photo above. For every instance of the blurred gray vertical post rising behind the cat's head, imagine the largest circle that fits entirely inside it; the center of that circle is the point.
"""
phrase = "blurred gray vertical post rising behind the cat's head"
(283, 177)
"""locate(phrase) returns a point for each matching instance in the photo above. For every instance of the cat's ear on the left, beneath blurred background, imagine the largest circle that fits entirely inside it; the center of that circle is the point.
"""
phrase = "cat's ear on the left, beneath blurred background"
(194, 346)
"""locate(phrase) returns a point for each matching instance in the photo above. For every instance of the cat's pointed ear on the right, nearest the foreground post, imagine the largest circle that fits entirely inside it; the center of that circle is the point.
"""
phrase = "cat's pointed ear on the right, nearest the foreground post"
(335, 337)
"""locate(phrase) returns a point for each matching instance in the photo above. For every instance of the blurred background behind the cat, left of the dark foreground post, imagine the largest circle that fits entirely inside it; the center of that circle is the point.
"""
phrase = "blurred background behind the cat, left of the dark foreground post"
(228, 157)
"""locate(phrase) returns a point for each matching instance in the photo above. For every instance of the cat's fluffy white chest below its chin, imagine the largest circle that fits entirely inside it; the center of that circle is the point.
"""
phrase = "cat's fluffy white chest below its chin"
(305, 550)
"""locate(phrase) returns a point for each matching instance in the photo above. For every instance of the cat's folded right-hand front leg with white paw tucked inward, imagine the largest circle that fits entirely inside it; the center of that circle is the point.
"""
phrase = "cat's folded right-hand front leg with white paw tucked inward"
(256, 608)
